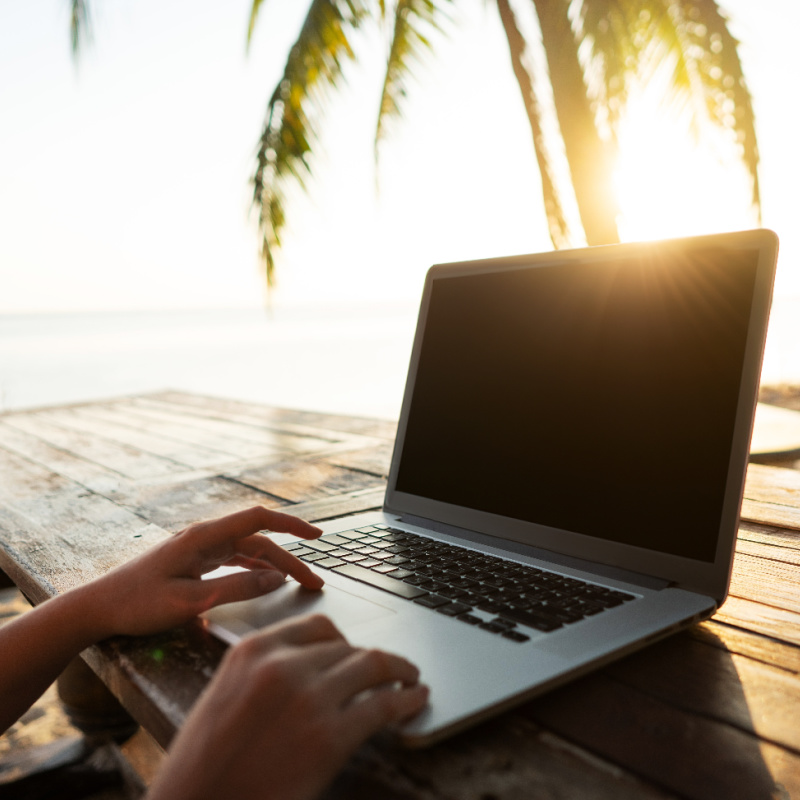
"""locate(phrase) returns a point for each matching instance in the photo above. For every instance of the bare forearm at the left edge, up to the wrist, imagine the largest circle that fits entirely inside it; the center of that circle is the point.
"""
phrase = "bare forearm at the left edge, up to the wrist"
(37, 646)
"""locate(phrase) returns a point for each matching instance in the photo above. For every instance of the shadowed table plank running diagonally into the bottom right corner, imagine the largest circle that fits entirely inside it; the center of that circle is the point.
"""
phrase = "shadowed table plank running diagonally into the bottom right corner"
(687, 753)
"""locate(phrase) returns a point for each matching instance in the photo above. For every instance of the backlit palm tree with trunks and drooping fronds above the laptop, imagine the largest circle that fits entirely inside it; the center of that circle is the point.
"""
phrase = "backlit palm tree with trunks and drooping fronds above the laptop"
(595, 52)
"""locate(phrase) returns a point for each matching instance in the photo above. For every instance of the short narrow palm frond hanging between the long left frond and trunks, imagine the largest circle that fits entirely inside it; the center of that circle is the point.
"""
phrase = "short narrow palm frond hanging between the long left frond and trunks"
(414, 20)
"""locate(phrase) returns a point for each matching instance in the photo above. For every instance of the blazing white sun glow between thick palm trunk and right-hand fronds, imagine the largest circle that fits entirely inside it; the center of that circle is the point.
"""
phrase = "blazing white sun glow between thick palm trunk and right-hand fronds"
(672, 181)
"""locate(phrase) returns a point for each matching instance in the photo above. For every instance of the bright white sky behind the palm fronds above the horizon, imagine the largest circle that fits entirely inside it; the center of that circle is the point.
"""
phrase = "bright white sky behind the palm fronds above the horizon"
(124, 182)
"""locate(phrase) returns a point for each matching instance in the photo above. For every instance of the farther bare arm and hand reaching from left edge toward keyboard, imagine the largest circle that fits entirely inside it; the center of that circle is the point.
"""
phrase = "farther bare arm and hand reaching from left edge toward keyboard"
(158, 590)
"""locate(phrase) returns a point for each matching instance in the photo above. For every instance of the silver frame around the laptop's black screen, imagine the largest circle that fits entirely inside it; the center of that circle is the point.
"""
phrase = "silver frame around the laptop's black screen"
(707, 577)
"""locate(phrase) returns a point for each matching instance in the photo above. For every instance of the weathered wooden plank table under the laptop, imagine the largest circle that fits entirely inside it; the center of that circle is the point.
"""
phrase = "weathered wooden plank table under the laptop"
(711, 713)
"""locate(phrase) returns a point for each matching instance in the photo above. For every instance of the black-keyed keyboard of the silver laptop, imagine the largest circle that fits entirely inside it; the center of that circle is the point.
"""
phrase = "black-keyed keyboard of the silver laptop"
(456, 581)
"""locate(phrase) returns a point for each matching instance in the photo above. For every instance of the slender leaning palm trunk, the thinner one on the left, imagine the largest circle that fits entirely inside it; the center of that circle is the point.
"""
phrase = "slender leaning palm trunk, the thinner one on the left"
(557, 224)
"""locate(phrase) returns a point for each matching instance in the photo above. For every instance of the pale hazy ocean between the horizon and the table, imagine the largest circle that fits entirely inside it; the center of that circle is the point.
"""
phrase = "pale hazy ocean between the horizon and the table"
(349, 359)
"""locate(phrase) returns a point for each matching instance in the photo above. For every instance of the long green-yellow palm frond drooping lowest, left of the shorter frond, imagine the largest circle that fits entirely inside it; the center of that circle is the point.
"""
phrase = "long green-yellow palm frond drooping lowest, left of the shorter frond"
(313, 68)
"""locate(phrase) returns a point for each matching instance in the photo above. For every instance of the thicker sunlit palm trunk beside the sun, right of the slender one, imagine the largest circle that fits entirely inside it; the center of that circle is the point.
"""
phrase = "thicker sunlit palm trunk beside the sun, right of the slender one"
(589, 158)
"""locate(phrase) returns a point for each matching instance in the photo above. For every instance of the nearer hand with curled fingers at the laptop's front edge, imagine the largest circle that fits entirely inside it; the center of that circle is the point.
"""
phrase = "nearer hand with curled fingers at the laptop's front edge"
(285, 710)
